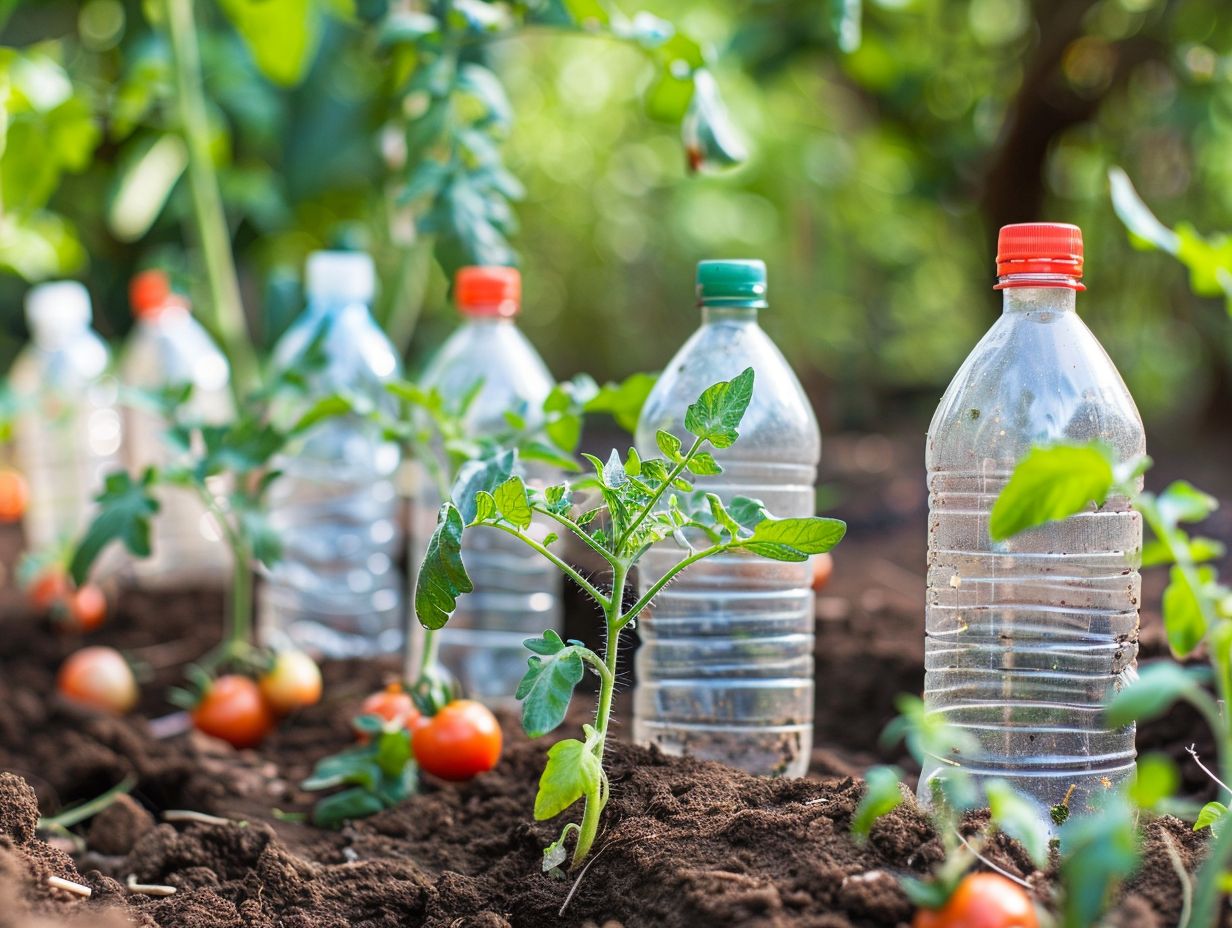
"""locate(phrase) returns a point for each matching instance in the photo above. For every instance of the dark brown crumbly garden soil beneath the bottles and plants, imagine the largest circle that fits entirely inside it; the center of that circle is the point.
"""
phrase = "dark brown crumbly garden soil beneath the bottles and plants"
(683, 842)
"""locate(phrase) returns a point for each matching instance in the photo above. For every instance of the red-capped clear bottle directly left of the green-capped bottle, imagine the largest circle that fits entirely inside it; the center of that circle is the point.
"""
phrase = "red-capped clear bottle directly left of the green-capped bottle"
(517, 593)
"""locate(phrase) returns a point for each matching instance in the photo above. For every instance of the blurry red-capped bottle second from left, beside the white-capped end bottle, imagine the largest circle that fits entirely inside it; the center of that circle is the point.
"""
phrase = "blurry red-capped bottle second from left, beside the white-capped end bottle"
(169, 349)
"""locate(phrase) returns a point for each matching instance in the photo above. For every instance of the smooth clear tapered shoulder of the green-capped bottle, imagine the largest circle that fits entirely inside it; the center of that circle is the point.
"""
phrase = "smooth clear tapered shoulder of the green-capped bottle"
(780, 423)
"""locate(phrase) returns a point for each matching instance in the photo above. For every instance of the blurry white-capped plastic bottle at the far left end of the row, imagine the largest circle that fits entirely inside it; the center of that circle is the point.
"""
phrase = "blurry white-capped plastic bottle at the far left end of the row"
(68, 429)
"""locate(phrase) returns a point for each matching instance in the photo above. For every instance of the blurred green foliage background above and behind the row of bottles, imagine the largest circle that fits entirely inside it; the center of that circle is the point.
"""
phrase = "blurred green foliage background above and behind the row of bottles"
(878, 176)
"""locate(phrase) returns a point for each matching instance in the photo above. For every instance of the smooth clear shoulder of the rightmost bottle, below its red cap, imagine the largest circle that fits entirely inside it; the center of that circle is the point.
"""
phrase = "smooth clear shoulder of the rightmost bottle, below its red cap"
(1034, 379)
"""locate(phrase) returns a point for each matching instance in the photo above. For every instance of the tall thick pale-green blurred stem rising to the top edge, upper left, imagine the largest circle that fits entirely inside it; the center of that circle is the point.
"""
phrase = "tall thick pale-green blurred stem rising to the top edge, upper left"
(226, 310)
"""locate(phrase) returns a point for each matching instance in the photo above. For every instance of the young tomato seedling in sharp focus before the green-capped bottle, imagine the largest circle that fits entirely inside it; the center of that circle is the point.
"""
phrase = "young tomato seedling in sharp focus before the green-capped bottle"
(640, 503)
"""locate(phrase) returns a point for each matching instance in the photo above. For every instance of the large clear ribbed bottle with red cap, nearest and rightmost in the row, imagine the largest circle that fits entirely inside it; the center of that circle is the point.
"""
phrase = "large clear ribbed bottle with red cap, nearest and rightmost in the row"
(1029, 639)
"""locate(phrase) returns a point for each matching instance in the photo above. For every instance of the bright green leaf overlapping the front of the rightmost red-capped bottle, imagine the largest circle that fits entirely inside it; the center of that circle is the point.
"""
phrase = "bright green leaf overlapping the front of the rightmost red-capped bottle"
(1052, 484)
